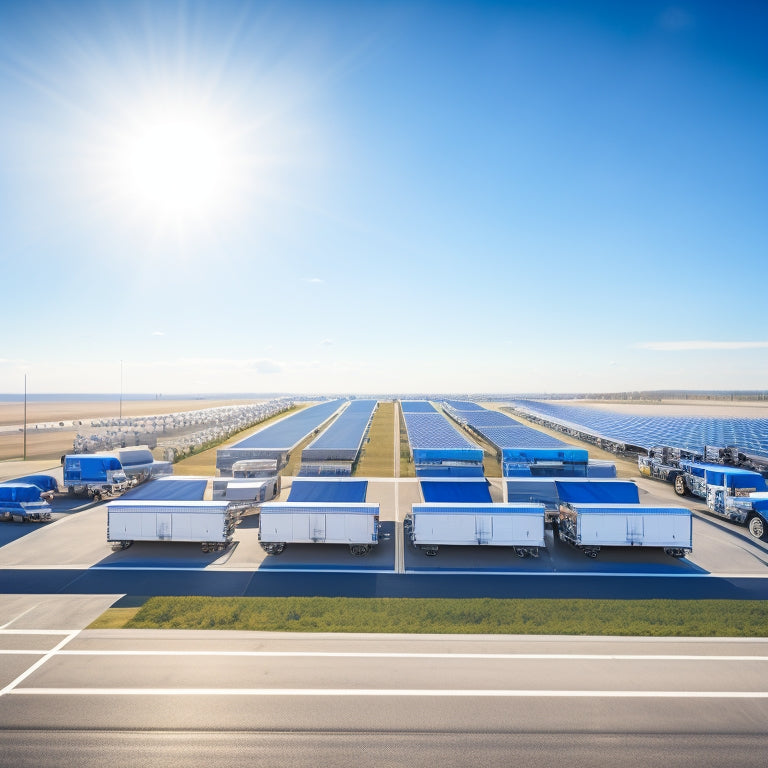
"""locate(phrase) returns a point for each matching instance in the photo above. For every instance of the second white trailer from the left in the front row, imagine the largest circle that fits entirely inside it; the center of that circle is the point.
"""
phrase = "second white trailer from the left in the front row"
(296, 522)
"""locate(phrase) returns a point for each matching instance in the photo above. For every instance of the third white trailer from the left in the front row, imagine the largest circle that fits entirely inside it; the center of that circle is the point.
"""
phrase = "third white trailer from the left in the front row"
(520, 526)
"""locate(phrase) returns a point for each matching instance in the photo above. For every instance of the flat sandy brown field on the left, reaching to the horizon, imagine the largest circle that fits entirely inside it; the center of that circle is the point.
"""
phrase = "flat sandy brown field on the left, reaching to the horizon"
(53, 444)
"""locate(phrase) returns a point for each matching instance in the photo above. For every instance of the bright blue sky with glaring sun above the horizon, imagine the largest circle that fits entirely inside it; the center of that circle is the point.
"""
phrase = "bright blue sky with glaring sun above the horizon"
(383, 197)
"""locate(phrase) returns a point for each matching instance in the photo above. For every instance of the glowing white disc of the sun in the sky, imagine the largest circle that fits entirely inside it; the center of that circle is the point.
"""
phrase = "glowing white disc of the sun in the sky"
(177, 164)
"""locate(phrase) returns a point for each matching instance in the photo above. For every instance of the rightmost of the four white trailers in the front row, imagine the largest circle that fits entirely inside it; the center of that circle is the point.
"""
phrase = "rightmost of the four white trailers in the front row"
(592, 526)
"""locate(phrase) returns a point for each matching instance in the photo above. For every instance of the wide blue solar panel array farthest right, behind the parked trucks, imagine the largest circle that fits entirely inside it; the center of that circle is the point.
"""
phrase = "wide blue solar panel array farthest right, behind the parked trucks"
(690, 432)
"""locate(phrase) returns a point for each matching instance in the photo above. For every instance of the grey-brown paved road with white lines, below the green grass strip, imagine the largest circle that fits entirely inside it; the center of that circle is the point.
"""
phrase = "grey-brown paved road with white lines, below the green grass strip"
(239, 698)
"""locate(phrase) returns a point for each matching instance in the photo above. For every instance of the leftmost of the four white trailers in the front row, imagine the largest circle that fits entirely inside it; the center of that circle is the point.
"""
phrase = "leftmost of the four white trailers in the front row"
(211, 523)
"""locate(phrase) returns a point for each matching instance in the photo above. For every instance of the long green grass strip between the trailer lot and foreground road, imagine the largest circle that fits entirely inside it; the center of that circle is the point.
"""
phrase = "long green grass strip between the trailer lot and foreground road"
(644, 618)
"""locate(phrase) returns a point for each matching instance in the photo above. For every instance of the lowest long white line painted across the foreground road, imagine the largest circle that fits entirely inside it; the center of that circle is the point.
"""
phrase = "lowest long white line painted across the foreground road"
(418, 692)
